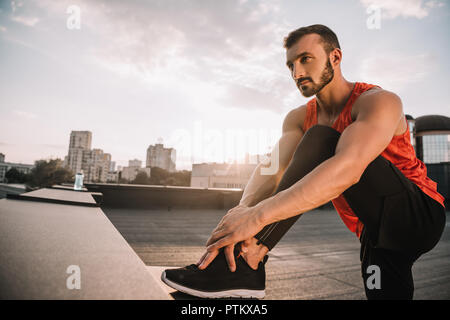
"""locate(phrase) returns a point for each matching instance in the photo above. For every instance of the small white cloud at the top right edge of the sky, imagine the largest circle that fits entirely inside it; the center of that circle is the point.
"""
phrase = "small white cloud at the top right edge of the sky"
(404, 8)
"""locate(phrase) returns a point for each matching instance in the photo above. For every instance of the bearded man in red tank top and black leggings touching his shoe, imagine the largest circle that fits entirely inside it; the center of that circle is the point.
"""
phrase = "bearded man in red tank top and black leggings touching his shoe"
(350, 144)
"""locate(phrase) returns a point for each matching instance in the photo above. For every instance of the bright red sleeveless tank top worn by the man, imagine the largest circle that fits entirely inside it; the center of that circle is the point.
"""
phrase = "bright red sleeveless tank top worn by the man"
(399, 151)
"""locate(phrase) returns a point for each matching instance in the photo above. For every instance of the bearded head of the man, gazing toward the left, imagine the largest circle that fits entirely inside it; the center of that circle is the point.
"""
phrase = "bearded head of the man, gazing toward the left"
(308, 53)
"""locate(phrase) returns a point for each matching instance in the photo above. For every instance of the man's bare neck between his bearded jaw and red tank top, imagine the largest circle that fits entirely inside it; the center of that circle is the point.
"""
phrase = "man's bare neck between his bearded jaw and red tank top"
(334, 96)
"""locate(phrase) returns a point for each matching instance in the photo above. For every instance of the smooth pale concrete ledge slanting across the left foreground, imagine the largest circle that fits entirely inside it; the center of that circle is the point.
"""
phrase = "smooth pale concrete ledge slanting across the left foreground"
(65, 250)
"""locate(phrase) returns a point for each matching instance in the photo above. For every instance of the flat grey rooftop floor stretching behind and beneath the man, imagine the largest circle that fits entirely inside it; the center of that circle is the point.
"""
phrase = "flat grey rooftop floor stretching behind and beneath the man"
(317, 259)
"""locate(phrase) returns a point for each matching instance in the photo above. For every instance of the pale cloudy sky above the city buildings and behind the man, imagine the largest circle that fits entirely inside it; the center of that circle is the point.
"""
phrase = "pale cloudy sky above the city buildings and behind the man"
(205, 77)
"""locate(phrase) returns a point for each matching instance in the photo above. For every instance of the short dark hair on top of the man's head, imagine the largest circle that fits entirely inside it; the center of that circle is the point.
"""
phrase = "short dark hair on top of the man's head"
(329, 38)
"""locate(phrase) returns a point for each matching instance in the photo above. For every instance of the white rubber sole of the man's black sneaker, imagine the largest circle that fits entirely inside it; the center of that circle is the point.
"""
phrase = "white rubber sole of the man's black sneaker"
(236, 293)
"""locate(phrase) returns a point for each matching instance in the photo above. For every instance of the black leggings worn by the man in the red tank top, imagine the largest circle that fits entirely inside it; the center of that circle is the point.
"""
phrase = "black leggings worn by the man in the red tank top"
(400, 221)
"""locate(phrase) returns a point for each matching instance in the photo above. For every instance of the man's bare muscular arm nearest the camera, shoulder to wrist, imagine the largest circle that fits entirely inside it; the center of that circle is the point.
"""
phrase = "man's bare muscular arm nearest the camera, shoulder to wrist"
(379, 116)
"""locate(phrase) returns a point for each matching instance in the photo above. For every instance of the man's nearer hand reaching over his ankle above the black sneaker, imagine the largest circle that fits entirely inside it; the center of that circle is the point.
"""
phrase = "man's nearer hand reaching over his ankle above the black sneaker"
(240, 224)
